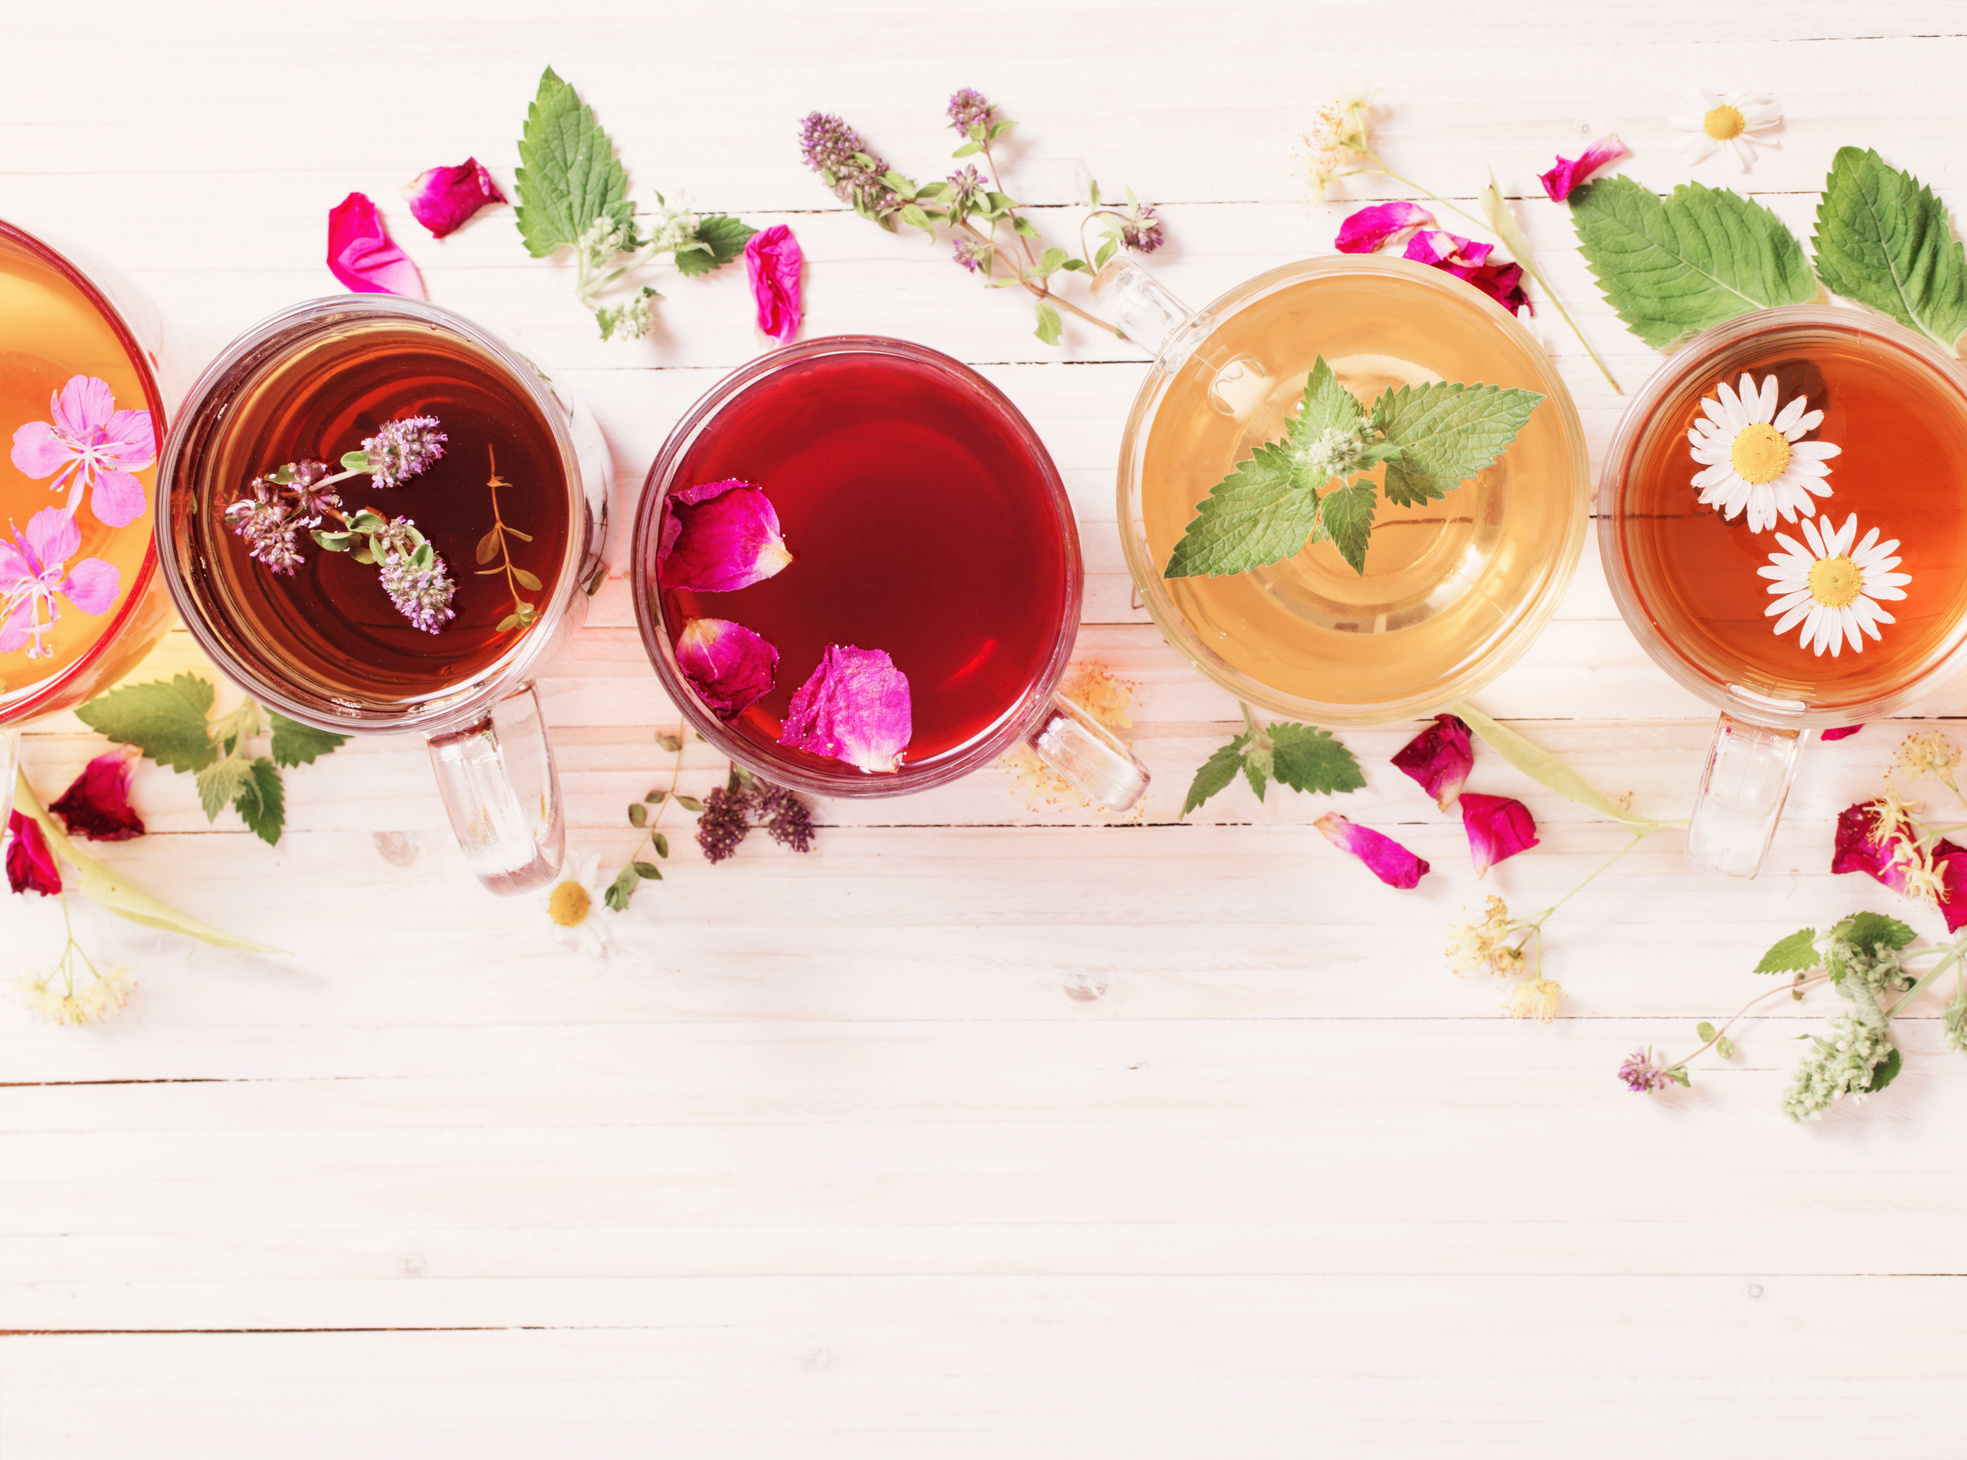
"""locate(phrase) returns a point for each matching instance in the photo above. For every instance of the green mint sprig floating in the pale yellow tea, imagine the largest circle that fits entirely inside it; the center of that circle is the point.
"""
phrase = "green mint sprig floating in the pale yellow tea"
(1431, 440)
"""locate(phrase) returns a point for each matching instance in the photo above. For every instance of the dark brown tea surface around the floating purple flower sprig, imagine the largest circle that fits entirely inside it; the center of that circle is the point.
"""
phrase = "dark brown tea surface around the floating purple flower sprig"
(497, 509)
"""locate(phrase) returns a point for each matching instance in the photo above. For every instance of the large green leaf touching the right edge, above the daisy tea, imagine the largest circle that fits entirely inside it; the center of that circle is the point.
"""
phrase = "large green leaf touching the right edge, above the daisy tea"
(1885, 241)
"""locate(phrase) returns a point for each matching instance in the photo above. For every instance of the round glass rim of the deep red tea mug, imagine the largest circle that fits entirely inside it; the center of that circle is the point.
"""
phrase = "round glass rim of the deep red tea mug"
(851, 782)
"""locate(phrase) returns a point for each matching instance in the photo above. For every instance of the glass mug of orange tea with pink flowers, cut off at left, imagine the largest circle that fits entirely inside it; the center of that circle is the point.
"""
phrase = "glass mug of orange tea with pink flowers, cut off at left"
(76, 330)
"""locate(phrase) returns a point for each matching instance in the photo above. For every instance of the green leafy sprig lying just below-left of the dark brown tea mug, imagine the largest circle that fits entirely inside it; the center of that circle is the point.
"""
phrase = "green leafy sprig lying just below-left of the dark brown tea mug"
(174, 725)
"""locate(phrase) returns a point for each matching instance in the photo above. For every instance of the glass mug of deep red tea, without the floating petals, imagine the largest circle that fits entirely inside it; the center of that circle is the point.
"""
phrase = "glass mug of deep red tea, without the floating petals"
(925, 520)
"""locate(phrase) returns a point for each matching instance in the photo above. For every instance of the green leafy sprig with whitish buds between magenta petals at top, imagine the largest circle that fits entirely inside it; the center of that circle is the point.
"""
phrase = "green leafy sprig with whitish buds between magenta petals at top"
(573, 194)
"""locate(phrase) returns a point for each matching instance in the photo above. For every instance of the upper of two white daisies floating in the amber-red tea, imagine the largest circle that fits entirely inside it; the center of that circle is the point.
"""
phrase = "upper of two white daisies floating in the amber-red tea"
(1756, 456)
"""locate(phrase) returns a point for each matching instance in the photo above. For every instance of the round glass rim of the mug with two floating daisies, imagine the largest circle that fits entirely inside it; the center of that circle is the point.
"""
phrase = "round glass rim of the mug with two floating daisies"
(1634, 422)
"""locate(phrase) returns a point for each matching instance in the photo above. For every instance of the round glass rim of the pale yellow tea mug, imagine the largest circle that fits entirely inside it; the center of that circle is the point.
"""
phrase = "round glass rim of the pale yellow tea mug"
(1512, 642)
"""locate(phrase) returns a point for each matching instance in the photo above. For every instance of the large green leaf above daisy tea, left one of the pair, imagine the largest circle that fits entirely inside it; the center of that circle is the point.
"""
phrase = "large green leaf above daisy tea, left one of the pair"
(1687, 263)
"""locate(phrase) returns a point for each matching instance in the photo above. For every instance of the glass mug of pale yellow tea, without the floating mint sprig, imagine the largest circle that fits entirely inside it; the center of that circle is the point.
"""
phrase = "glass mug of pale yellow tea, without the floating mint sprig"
(1455, 591)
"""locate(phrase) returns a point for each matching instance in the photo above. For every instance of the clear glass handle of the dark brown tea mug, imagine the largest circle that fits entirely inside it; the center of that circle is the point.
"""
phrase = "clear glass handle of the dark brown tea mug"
(503, 794)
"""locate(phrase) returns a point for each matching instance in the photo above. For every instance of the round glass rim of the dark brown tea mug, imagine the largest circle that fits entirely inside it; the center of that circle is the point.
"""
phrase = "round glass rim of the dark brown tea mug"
(215, 387)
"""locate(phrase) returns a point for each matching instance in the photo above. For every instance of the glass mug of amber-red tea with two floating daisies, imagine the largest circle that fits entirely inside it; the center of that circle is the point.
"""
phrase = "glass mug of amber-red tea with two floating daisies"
(1706, 593)
